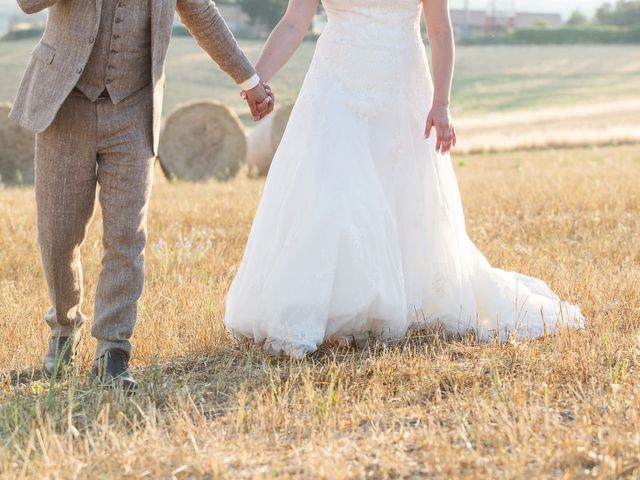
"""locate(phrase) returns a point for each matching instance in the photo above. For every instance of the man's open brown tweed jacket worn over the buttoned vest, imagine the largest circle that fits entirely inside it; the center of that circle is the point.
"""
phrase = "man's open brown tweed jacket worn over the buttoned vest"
(58, 60)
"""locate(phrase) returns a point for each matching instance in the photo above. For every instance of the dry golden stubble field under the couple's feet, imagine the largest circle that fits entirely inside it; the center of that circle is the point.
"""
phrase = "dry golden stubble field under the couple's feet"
(567, 406)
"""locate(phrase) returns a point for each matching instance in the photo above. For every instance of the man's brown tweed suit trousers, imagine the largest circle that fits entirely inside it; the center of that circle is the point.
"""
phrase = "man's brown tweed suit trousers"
(91, 145)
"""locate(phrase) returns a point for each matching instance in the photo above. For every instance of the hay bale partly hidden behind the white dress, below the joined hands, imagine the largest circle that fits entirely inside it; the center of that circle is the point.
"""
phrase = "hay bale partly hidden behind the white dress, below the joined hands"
(263, 141)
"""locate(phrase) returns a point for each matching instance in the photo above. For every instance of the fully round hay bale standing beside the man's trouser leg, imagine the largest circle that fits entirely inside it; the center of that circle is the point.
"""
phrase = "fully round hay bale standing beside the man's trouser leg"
(202, 140)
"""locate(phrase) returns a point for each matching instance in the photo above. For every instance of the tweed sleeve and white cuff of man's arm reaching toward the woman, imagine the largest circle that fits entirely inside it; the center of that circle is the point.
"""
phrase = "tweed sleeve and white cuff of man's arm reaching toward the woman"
(209, 29)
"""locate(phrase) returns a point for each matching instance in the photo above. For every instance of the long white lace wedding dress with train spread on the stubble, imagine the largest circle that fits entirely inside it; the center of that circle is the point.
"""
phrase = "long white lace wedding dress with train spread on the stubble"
(360, 230)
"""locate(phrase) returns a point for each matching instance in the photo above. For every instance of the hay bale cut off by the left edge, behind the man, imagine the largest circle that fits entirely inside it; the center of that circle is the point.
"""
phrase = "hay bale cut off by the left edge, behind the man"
(17, 151)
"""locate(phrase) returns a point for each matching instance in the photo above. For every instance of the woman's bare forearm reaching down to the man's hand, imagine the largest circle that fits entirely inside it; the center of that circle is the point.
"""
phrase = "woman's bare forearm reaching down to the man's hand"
(286, 37)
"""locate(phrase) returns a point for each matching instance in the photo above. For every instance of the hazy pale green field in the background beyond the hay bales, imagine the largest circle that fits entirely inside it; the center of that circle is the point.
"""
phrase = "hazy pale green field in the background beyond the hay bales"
(488, 79)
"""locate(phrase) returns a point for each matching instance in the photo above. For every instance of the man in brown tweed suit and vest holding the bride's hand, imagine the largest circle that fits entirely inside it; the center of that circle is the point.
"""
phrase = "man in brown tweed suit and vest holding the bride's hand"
(93, 93)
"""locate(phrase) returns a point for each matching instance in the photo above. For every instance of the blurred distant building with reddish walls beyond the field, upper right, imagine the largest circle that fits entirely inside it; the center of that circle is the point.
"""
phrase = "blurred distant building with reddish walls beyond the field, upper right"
(481, 22)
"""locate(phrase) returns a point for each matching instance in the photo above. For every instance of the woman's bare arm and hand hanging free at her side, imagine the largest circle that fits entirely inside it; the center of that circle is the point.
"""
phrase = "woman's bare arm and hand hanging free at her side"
(436, 14)
